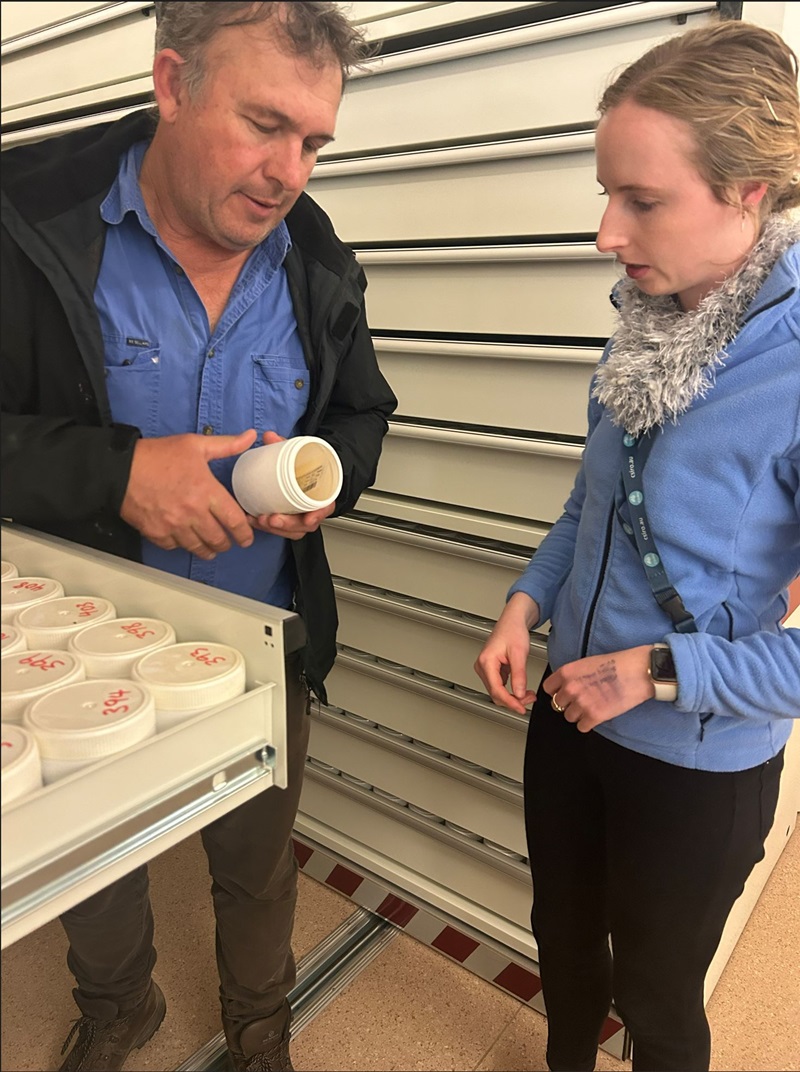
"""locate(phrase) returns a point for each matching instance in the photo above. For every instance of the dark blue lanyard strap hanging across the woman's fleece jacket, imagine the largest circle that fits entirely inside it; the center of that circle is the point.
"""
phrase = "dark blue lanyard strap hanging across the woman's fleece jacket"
(639, 530)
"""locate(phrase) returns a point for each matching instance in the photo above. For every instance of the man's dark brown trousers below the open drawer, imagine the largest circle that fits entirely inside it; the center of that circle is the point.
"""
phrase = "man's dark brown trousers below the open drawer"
(255, 890)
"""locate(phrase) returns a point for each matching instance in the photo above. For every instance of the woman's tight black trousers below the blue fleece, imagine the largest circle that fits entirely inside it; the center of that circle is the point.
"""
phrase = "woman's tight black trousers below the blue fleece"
(645, 854)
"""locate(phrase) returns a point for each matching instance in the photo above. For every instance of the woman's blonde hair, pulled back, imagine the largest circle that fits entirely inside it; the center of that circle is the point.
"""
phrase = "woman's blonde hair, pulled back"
(736, 85)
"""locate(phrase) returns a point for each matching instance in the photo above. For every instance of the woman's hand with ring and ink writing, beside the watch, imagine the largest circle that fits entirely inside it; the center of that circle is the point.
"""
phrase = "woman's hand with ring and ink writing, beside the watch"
(601, 688)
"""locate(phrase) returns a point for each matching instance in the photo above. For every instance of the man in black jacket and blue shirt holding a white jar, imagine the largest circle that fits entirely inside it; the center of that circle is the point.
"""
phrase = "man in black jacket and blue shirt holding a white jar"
(169, 295)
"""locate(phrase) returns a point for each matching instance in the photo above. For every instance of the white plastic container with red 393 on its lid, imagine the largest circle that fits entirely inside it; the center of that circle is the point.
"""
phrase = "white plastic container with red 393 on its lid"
(187, 679)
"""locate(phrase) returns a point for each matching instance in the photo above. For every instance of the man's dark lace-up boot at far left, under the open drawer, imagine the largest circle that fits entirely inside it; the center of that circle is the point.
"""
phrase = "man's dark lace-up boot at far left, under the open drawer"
(105, 1045)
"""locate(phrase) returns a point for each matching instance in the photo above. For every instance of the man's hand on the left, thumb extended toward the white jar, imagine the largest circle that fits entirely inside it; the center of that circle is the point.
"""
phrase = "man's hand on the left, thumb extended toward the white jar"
(174, 499)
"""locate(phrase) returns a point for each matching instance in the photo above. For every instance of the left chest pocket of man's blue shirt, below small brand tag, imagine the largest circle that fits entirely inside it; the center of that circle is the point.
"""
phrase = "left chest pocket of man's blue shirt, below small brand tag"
(134, 378)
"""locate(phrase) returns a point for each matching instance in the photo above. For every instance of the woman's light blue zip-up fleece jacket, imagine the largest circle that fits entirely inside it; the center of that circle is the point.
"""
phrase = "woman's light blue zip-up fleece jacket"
(723, 494)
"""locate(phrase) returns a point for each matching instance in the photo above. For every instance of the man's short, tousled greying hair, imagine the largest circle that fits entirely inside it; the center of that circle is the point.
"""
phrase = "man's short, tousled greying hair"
(316, 32)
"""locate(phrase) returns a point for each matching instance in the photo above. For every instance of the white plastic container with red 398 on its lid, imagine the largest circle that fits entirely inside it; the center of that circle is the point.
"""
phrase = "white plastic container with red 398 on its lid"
(111, 649)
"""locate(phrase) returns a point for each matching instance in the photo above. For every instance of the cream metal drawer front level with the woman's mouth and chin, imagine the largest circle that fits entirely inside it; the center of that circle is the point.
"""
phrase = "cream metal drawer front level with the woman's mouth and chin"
(514, 290)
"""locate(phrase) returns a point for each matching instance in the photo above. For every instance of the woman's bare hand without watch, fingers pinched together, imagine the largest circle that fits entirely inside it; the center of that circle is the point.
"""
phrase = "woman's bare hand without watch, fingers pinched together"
(506, 653)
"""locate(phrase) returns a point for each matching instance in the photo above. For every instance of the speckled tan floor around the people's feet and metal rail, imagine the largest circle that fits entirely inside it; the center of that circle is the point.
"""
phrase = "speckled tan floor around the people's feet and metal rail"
(411, 1008)
